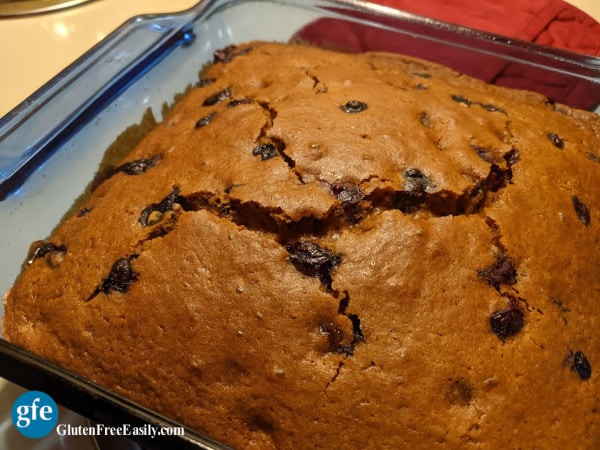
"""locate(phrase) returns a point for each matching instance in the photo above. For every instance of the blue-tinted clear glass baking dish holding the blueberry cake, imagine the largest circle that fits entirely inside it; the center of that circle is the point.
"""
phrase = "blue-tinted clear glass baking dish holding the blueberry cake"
(52, 144)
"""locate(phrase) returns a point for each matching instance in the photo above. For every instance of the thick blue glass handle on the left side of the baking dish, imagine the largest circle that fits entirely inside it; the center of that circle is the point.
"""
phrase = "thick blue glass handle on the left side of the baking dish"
(92, 81)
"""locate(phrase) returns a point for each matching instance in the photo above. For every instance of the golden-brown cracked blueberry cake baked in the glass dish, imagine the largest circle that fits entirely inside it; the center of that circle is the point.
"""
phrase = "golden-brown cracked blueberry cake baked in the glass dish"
(325, 250)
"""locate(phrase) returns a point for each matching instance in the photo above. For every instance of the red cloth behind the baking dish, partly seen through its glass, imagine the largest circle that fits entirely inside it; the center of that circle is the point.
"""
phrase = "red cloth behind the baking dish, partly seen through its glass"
(547, 22)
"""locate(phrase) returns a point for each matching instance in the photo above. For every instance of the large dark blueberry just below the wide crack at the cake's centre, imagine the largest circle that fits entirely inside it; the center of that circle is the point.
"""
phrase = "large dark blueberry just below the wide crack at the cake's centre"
(313, 260)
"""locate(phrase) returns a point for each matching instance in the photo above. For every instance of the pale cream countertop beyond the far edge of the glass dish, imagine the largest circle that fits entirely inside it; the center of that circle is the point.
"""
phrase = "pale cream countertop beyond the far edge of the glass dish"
(35, 48)
